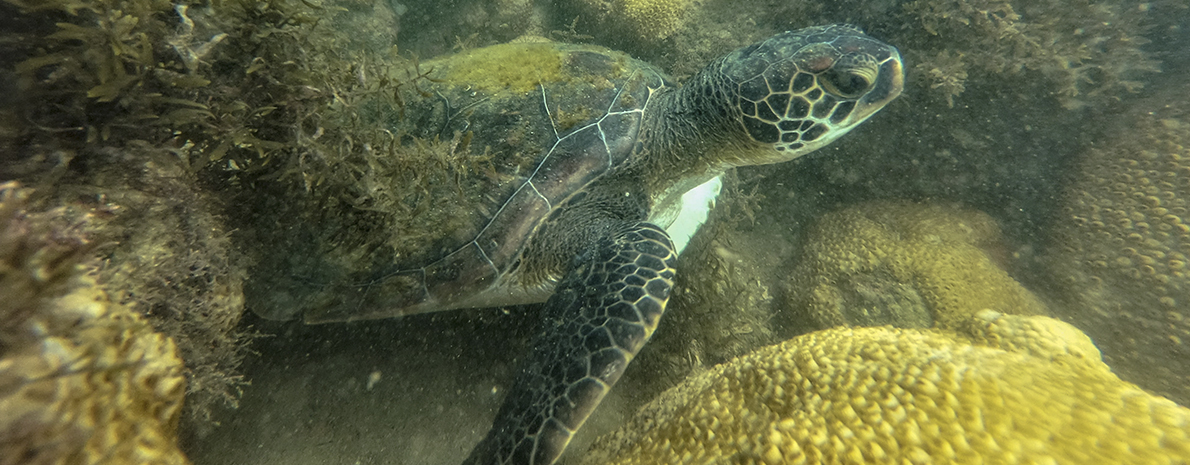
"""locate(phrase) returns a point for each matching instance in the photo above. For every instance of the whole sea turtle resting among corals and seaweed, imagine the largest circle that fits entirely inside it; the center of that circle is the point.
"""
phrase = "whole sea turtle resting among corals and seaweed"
(603, 169)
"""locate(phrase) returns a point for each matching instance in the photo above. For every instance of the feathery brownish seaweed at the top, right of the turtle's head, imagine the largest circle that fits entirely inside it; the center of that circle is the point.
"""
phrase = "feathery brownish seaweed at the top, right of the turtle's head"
(1089, 52)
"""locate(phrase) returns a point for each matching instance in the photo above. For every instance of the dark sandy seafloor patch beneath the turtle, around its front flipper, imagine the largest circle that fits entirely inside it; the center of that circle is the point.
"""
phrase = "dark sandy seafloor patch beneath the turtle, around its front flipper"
(419, 391)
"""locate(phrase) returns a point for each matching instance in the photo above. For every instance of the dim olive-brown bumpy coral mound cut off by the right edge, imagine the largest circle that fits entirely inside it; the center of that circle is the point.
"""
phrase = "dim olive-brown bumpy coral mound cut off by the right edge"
(1123, 247)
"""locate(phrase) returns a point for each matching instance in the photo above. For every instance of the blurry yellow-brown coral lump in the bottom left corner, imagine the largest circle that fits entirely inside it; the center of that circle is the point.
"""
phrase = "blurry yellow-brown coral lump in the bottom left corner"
(83, 380)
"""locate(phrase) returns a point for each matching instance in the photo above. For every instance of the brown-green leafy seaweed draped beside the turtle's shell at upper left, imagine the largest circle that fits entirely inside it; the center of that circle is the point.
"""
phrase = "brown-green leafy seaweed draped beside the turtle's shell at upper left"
(147, 110)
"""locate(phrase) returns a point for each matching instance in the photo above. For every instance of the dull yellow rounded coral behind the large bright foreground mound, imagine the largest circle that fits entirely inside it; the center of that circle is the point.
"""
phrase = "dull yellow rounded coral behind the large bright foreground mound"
(905, 265)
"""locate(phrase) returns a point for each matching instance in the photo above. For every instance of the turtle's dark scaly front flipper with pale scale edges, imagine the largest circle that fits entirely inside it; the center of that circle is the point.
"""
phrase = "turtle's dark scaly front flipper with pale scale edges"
(603, 312)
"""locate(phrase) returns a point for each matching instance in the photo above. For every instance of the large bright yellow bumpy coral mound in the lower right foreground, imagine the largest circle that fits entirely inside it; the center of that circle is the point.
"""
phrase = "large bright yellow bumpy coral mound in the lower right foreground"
(1007, 389)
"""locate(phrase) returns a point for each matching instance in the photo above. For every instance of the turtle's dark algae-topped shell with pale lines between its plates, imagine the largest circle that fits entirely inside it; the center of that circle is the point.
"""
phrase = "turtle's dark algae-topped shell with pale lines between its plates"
(530, 124)
